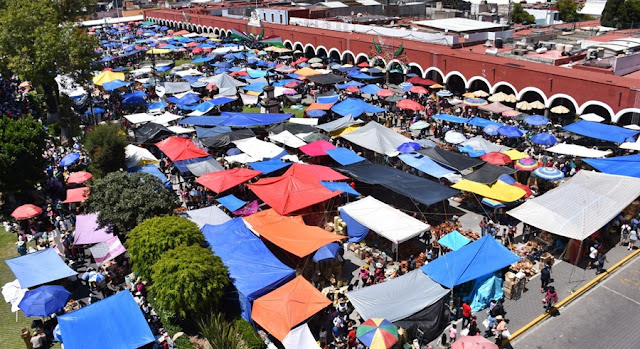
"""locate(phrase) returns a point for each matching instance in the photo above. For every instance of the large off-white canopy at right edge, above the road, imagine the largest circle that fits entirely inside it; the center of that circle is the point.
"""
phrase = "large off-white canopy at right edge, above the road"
(580, 206)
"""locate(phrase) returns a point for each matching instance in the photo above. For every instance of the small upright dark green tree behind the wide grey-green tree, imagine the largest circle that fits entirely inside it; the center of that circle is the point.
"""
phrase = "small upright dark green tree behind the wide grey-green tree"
(106, 145)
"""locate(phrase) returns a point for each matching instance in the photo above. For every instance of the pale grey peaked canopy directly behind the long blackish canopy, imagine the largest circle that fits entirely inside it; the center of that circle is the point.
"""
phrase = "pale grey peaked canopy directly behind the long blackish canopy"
(378, 138)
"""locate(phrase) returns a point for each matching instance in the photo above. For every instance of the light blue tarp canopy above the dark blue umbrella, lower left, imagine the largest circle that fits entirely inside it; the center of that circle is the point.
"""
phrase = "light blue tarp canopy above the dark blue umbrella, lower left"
(39, 268)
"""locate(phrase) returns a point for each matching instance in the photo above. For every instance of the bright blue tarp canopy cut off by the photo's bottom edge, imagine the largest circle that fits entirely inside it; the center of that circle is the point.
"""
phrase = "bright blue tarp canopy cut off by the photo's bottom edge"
(114, 322)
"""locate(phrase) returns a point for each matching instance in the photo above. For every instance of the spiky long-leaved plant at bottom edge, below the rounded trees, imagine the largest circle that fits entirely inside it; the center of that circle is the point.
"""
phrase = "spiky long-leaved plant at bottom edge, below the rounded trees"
(219, 333)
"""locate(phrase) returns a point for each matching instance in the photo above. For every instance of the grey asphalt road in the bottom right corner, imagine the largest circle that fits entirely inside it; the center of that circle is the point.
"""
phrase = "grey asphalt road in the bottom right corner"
(607, 316)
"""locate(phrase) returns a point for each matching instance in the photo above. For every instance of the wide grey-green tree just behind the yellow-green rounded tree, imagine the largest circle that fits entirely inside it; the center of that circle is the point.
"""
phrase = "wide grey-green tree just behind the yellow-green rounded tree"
(126, 199)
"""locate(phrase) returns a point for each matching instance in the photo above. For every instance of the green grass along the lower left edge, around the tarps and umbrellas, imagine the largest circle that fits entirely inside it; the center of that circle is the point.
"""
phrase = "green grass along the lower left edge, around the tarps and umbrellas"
(9, 328)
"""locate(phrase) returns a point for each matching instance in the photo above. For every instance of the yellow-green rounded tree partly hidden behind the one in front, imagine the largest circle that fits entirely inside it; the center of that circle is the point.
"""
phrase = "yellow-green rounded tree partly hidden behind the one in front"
(155, 236)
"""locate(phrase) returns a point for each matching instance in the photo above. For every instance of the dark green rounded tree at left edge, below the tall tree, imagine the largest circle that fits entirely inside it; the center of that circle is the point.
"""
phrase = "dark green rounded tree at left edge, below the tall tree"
(22, 143)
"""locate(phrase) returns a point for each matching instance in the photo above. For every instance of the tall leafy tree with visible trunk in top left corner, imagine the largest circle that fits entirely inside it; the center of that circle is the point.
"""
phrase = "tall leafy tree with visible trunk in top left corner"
(38, 41)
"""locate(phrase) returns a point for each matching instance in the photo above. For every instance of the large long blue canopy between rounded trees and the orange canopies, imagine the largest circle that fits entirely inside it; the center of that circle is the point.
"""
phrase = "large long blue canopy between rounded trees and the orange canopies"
(254, 270)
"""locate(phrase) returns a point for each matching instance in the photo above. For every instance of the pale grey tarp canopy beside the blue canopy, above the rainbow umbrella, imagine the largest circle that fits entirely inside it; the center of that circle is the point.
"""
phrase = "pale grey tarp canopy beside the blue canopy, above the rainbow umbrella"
(392, 299)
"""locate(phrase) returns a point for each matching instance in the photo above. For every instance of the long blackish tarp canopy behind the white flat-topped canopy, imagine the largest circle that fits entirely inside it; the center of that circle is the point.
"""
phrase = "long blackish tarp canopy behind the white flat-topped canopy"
(419, 189)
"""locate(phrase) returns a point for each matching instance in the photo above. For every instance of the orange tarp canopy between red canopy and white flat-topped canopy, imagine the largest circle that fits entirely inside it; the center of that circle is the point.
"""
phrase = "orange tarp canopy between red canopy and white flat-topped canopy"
(290, 233)
